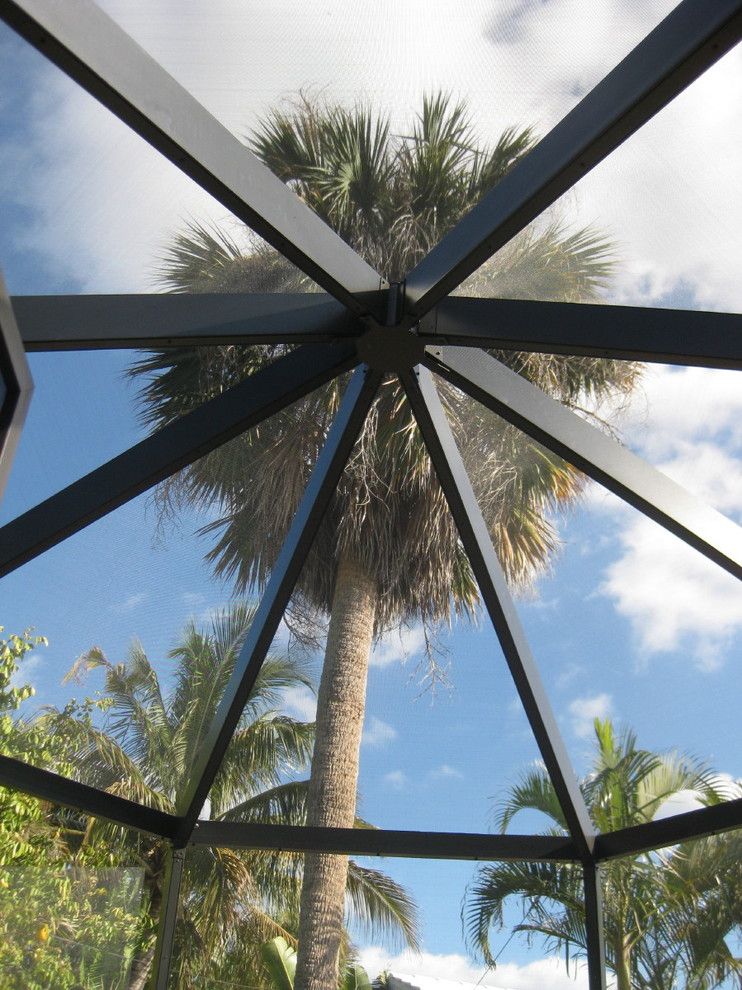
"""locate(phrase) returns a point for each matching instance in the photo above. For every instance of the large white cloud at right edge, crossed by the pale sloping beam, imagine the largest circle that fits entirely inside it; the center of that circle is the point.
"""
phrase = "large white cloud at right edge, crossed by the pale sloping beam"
(688, 423)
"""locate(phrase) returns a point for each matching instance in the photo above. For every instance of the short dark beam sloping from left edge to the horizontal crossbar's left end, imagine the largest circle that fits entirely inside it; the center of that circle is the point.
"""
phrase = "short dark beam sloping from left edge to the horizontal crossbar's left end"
(48, 786)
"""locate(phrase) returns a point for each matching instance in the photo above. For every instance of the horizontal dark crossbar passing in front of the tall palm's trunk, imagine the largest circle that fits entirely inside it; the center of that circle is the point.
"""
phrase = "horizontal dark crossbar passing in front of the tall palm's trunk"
(384, 842)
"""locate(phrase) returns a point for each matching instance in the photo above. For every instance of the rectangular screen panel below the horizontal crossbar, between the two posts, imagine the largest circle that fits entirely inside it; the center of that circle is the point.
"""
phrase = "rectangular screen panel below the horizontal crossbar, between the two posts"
(229, 938)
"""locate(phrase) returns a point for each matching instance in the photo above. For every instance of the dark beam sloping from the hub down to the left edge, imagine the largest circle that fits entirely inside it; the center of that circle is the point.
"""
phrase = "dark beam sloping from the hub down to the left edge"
(170, 449)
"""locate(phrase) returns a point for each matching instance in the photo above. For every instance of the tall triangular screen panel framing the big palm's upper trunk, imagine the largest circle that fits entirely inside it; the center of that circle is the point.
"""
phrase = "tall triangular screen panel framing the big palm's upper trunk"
(415, 696)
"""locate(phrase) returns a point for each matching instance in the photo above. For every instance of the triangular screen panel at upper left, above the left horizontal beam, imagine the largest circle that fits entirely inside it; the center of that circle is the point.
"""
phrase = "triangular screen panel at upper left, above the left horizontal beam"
(90, 207)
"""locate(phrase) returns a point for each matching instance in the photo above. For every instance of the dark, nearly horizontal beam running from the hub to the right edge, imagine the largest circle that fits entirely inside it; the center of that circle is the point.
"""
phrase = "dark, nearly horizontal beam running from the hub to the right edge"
(628, 333)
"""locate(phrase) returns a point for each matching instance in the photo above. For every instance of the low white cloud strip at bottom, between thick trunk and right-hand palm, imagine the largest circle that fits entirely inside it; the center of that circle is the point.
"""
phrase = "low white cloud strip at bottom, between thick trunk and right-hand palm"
(536, 975)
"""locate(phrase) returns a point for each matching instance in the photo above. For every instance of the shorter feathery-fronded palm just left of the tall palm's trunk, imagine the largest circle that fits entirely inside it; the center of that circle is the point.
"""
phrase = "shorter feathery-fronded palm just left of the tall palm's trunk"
(144, 751)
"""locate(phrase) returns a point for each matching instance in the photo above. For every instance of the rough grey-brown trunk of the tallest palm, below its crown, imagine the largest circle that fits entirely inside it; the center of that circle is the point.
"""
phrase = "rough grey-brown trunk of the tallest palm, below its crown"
(341, 703)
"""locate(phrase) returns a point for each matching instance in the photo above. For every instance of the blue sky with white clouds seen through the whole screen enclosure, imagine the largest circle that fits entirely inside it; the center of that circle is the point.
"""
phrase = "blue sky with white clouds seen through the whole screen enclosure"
(627, 623)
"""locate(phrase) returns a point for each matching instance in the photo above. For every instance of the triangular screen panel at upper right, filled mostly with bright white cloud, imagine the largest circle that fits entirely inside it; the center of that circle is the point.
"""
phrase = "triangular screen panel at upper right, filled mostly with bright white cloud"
(659, 210)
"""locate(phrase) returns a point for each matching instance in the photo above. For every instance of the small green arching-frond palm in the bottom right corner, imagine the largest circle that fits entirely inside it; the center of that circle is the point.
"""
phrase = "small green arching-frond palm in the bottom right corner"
(668, 916)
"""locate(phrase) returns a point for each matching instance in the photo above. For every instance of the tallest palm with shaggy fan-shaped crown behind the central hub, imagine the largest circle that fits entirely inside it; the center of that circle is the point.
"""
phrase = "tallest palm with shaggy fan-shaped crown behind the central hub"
(388, 550)
